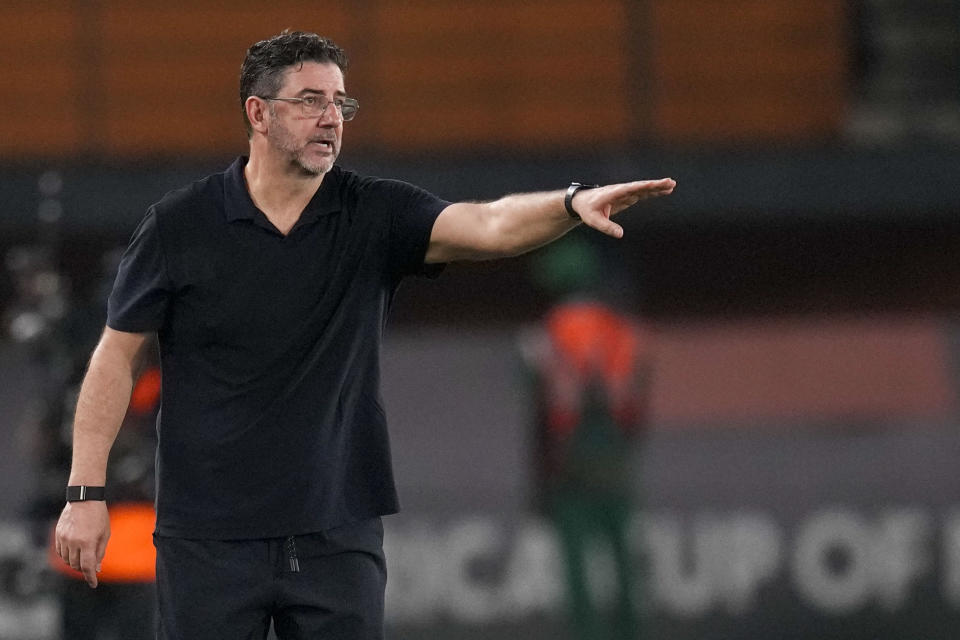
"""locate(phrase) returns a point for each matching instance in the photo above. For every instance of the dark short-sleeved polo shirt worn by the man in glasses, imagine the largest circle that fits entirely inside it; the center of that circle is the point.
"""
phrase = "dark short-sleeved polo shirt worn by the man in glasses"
(272, 422)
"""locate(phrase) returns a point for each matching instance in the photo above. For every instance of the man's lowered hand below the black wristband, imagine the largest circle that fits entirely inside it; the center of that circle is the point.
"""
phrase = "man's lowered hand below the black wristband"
(81, 537)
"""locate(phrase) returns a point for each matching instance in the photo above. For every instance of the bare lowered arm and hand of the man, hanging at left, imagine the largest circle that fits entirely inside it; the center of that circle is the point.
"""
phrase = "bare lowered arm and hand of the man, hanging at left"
(84, 527)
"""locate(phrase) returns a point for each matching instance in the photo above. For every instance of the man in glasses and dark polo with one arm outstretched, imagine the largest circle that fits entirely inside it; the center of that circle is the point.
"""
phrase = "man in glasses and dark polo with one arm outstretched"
(268, 286)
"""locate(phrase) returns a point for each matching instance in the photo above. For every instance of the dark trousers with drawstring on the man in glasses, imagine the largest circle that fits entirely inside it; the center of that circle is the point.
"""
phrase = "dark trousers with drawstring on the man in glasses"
(322, 585)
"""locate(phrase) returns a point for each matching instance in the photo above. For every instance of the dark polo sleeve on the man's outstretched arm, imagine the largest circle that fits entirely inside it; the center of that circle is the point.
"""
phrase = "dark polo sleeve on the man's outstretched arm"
(413, 212)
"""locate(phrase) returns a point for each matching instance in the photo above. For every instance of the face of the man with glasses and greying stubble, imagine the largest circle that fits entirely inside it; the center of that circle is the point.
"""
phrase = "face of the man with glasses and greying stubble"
(310, 143)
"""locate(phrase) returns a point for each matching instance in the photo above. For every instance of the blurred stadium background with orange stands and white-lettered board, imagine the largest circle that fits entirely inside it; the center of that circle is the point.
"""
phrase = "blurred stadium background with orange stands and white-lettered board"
(800, 474)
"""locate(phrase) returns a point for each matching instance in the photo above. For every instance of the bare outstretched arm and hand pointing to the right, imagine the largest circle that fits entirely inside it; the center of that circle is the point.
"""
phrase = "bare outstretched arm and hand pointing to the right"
(519, 223)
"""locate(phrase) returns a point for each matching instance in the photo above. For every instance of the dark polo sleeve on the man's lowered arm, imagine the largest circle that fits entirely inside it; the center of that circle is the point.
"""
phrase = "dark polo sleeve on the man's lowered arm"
(142, 290)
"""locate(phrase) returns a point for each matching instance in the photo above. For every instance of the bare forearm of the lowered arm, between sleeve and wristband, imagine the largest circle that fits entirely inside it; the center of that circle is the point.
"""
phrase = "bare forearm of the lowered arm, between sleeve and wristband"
(101, 406)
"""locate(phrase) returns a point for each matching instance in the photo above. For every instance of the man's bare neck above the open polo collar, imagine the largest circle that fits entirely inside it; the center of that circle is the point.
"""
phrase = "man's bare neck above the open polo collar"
(279, 190)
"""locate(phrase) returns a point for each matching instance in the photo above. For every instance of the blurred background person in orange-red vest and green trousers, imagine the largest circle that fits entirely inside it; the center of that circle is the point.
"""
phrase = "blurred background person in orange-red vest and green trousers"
(588, 363)
